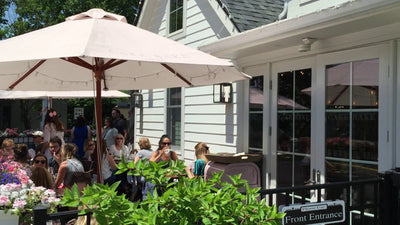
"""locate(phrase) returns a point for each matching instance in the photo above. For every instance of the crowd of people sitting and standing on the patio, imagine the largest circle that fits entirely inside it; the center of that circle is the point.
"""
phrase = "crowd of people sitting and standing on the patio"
(54, 164)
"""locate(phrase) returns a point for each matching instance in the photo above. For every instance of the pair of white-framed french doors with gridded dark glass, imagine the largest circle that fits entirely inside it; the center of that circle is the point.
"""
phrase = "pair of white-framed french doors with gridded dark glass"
(330, 118)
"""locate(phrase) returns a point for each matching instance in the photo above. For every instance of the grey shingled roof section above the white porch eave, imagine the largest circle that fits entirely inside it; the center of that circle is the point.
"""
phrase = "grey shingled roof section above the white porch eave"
(249, 14)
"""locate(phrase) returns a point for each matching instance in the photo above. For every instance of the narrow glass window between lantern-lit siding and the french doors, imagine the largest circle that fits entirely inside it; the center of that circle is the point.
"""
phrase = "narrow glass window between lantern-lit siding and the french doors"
(256, 113)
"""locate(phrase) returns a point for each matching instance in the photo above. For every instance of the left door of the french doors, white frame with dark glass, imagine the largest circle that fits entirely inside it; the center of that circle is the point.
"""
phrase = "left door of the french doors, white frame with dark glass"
(291, 126)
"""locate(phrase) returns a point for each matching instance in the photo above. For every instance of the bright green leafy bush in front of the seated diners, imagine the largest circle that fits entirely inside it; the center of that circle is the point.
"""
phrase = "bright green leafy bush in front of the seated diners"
(186, 201)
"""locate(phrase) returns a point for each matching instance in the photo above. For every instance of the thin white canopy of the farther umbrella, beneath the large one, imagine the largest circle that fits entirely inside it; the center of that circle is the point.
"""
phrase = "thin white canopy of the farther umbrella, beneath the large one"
(59, 94)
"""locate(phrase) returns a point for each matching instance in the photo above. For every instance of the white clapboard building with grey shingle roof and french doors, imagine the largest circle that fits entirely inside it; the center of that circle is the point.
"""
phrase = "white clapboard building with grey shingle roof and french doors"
(323, 98)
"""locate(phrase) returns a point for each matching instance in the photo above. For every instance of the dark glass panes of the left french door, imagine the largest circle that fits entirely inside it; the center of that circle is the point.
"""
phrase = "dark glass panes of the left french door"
(293, 127)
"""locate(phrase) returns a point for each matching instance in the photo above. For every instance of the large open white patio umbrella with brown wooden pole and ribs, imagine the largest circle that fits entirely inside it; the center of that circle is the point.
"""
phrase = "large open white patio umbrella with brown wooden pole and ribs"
(101, 46)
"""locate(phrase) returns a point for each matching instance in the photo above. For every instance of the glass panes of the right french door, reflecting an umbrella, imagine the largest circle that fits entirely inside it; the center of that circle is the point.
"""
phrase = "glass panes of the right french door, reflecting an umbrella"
(352, 120)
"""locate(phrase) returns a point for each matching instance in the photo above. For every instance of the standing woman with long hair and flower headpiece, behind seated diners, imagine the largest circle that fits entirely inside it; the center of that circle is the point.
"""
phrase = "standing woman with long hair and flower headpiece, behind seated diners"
(53, 126)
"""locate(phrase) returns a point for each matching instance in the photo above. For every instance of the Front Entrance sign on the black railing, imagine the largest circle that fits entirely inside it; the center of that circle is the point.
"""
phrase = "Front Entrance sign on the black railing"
(314, 213)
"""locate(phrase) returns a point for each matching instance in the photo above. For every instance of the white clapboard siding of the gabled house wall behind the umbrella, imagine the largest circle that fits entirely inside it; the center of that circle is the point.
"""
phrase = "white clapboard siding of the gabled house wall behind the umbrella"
(203, 120)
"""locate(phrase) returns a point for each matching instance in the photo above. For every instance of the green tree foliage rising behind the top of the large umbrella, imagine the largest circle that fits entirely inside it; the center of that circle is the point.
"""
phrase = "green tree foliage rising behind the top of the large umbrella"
(36, 14)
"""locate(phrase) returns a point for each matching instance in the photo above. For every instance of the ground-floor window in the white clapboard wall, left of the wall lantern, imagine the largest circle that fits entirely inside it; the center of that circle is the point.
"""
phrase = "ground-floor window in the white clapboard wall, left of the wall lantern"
(174, 96)
